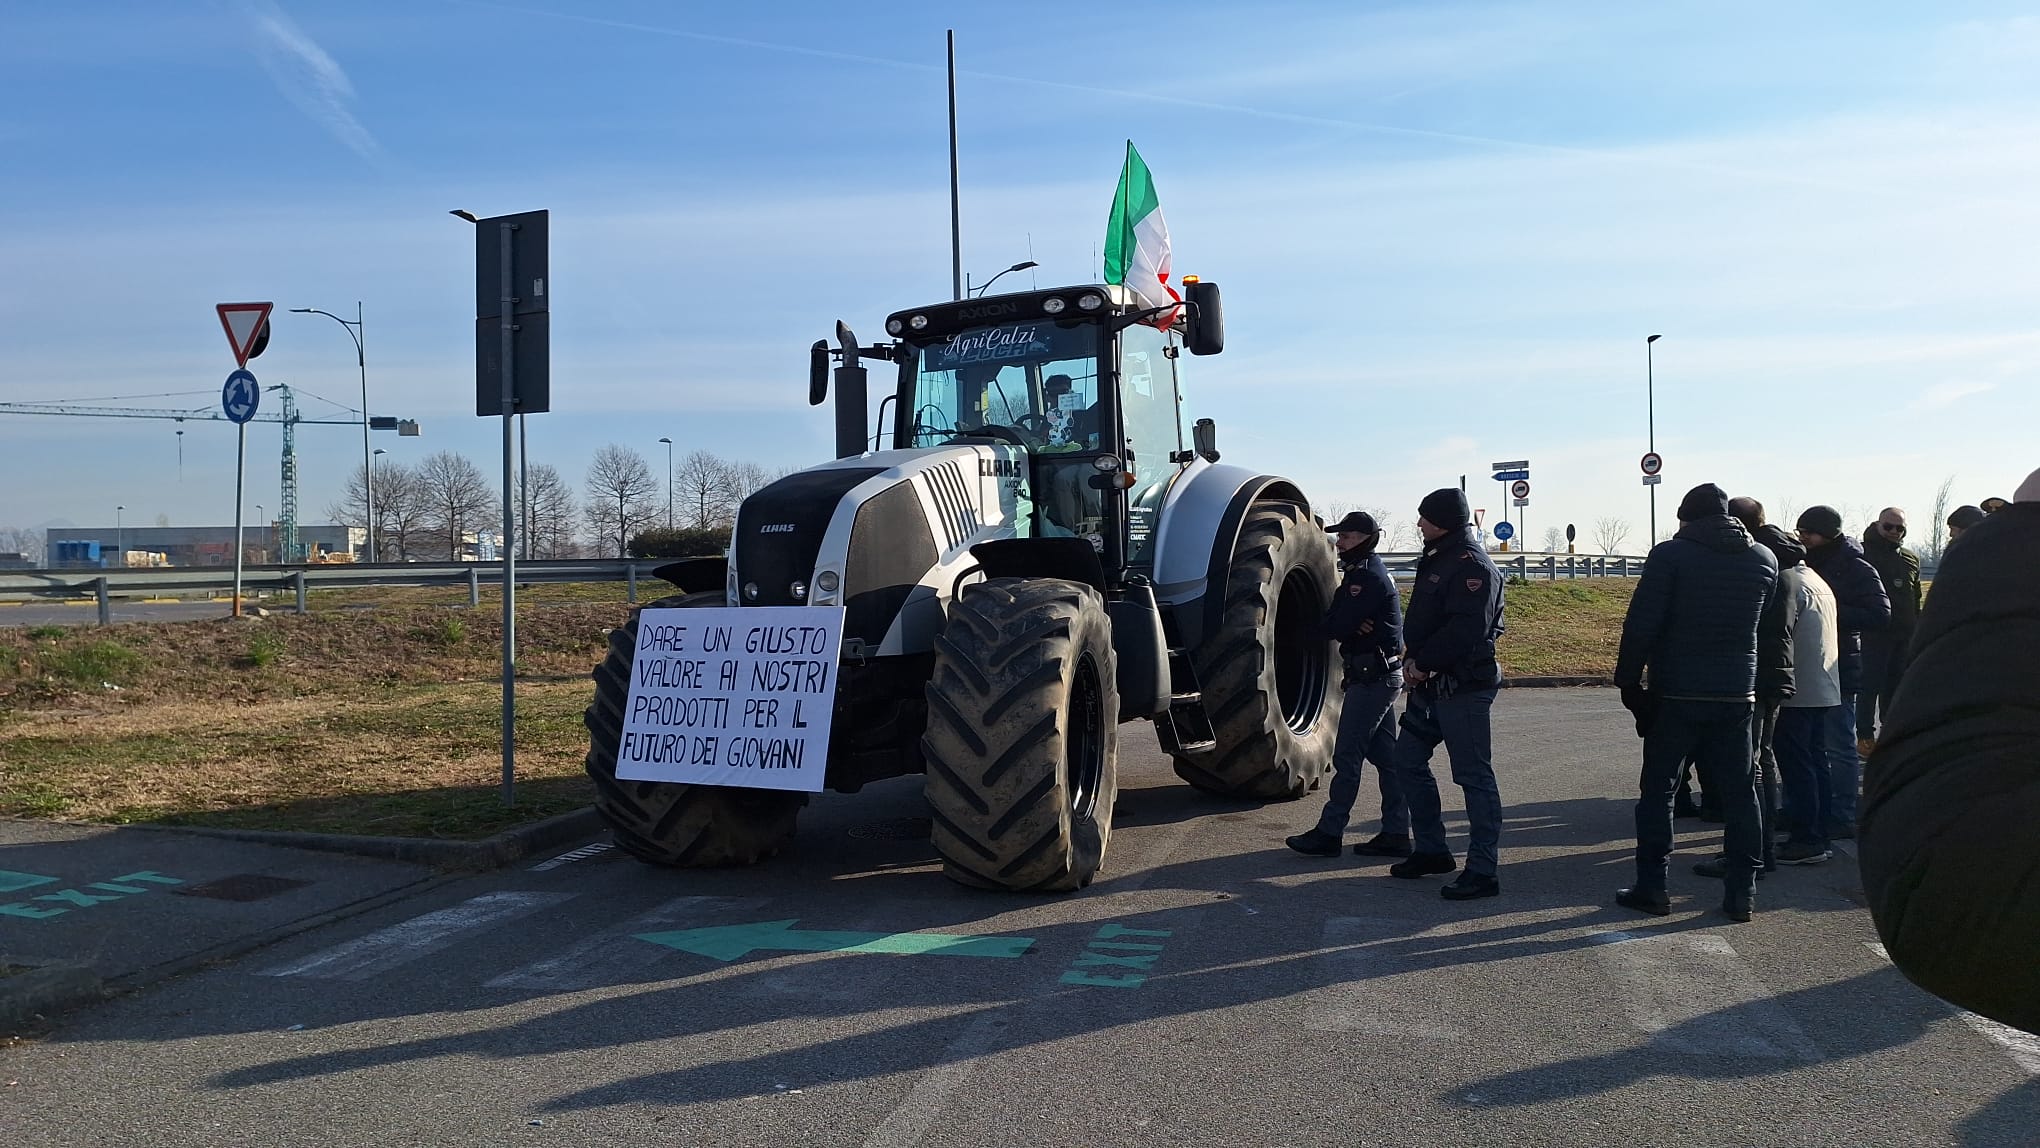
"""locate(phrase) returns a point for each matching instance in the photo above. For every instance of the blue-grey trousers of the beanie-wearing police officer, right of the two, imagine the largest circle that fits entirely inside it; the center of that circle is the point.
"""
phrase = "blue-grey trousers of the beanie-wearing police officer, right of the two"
(1462, 725)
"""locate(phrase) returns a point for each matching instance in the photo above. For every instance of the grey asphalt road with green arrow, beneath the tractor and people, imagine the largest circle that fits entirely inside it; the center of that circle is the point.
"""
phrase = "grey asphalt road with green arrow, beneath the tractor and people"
(1209, 990)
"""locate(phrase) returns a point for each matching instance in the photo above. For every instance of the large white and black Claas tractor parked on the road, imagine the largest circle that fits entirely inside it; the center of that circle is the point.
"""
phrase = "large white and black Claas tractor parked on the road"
(1045, 554)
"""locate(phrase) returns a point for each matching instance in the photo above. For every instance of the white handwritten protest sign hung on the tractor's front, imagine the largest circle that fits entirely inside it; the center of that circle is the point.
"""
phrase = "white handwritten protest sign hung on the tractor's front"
(733, 696)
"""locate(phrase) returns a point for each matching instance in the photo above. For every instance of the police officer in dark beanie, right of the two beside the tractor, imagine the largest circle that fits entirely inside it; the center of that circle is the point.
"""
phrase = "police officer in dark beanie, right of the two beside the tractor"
(1451, 672)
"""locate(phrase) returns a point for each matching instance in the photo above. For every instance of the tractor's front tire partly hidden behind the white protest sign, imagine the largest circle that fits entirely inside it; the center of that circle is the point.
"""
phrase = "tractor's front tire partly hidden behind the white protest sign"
(668, 823)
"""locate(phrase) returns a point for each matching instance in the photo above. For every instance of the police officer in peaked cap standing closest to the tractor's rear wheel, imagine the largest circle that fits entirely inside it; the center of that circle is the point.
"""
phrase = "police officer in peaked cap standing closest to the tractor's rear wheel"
(1366, 619)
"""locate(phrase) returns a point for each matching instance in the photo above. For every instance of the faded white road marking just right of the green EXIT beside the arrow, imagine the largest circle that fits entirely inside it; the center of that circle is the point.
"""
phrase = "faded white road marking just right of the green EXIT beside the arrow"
(1362, 992)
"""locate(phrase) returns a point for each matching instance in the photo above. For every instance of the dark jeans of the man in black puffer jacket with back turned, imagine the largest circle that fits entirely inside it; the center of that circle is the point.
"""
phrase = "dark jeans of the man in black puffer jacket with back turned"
(1717, 735)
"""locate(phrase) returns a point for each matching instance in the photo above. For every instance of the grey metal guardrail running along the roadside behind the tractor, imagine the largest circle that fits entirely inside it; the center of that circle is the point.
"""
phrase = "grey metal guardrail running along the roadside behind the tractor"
(109, 584)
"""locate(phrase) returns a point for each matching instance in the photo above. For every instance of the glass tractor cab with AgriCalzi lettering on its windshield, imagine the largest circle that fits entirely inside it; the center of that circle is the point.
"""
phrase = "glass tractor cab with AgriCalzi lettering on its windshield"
(1084, 380)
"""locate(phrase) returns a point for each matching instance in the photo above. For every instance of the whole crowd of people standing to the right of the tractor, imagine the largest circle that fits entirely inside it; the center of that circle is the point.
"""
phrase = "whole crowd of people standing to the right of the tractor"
(1770, 664)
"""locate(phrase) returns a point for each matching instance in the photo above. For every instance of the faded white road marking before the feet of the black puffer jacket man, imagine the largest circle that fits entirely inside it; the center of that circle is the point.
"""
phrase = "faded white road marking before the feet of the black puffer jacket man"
(1692, 994)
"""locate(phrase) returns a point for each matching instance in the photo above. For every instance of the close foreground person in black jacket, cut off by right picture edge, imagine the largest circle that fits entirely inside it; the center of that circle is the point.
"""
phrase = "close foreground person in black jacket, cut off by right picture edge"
(1951, 859)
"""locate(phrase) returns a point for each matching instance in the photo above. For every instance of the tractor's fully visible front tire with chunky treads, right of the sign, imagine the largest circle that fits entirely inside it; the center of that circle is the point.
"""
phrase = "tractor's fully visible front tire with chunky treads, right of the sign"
(1023, 735)
